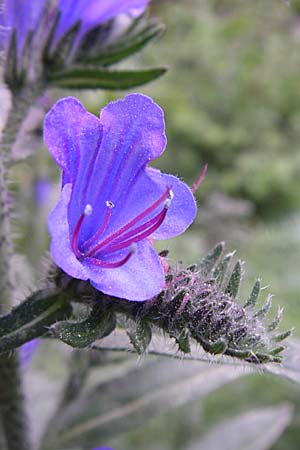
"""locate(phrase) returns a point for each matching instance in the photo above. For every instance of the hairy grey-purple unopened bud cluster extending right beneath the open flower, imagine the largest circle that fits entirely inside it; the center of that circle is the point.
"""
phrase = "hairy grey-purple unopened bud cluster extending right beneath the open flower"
(198, 303)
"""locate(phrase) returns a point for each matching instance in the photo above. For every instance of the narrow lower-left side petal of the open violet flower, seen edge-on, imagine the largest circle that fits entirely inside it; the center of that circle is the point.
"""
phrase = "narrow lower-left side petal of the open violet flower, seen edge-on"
(60, 247)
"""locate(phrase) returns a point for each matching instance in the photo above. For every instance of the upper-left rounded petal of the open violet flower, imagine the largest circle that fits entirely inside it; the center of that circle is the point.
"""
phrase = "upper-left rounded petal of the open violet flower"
(61, 135)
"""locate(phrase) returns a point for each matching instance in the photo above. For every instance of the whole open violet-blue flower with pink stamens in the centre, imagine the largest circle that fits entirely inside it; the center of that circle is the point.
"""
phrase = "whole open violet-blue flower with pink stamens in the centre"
(111, 203)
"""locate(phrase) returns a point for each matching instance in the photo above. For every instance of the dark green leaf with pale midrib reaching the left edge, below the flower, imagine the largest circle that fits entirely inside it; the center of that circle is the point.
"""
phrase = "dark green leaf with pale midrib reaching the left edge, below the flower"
(32, 318)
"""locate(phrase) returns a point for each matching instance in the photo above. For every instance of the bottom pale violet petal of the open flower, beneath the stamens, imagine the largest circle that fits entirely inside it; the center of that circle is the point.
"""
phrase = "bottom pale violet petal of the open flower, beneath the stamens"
(141, 278)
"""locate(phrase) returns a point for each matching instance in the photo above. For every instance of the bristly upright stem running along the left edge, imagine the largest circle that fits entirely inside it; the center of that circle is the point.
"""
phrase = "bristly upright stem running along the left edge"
(12, 410)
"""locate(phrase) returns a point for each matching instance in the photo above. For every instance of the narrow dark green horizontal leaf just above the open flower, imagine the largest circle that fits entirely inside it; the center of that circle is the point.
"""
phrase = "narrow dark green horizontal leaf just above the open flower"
(94, 78)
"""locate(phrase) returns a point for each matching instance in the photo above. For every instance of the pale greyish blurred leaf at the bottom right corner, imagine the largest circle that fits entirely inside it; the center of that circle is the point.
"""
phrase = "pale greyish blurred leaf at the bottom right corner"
(260, 427)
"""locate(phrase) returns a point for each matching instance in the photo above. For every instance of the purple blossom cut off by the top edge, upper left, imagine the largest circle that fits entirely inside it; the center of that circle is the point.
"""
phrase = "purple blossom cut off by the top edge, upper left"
(25, 15)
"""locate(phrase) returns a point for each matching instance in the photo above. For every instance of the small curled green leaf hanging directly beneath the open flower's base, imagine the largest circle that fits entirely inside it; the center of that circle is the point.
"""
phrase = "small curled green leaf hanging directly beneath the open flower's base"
(82, 334)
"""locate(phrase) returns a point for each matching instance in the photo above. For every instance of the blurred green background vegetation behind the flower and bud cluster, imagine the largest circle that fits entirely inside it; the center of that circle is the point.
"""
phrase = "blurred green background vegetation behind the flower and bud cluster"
(232, 100)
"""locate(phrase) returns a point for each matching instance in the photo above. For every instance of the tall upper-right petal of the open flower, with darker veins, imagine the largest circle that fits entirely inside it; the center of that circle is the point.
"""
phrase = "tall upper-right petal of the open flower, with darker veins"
(133, 135)
